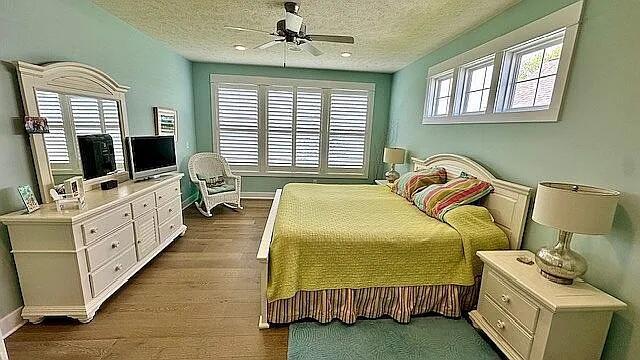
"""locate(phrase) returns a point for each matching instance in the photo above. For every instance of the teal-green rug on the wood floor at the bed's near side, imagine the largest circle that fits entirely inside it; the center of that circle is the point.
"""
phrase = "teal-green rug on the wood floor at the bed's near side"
(431, 337)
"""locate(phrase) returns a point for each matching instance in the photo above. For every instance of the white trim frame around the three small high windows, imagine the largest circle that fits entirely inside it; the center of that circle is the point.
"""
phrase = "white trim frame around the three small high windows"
(564, 22)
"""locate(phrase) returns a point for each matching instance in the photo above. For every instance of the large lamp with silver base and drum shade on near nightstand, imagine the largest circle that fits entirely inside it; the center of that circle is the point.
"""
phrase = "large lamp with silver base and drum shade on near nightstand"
(571, 209)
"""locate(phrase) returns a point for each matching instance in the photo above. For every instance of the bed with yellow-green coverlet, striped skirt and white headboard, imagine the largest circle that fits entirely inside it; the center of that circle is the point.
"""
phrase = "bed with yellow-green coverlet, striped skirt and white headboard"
(347, 251)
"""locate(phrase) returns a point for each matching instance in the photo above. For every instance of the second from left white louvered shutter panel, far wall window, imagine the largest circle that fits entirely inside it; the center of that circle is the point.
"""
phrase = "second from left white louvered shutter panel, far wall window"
(279, 126)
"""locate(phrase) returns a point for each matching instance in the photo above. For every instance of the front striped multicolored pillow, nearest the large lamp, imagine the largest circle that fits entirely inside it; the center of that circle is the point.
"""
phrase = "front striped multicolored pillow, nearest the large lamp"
(436, 200)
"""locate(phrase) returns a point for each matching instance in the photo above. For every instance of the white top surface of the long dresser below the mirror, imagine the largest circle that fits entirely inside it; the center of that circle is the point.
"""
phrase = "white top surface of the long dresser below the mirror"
(95, 202)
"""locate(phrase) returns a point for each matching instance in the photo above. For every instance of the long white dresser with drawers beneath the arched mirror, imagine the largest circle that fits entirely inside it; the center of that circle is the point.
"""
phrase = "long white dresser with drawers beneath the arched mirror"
(70, 262)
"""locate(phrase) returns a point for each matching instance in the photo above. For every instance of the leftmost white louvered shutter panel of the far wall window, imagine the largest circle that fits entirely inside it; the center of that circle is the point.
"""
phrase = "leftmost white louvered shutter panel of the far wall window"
(237, 113)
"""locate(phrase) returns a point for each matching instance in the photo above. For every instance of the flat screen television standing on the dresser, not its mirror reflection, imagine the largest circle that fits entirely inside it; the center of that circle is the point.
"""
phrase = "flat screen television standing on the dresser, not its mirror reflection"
(149, 156)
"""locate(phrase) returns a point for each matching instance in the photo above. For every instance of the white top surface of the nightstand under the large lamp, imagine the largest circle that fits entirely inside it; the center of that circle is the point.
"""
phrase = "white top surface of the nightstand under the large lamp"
(557, 297)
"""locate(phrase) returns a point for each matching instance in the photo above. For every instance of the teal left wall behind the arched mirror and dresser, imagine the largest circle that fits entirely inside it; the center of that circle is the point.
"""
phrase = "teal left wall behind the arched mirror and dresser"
(76, 30)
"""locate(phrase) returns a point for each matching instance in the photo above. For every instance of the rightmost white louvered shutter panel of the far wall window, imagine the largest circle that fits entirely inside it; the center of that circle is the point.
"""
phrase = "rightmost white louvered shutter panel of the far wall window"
(347, 129)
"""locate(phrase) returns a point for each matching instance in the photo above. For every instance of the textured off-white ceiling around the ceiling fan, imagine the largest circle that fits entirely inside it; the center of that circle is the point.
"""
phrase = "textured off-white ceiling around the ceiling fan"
(388, 34)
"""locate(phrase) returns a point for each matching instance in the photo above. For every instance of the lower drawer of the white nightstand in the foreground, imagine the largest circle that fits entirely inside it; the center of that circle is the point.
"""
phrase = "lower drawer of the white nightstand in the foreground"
(505, 326)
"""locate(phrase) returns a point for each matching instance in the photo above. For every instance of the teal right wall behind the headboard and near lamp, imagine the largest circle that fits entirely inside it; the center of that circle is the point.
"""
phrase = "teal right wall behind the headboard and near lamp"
(595, 141)
